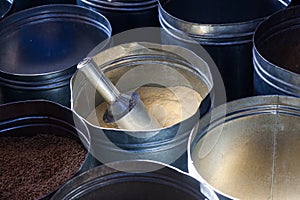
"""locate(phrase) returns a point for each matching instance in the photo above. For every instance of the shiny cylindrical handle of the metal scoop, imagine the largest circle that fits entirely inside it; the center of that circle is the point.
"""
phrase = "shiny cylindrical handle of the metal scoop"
(98, 79)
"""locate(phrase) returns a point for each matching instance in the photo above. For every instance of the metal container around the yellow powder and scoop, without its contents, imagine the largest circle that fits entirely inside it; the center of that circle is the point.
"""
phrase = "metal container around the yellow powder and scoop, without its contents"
(131, 66)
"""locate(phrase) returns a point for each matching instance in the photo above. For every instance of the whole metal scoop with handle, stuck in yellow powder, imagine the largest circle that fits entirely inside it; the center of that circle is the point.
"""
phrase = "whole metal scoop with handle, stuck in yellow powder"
(126, 110)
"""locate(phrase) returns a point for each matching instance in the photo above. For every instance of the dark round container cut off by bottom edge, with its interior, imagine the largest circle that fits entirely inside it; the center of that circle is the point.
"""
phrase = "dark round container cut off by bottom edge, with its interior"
(105, 182)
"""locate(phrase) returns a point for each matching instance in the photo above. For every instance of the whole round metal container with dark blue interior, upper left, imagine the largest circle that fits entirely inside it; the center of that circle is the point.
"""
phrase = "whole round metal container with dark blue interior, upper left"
(40, 48)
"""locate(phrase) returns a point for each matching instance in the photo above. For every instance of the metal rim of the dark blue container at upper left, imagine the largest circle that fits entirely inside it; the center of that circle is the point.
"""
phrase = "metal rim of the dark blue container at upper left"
(51, 11)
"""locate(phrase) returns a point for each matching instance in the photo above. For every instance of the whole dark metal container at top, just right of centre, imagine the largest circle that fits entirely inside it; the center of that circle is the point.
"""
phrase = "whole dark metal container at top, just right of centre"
(224, 28)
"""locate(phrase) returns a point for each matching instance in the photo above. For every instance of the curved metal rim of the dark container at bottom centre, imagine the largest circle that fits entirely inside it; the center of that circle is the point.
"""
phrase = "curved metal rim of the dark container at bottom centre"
(130, 169)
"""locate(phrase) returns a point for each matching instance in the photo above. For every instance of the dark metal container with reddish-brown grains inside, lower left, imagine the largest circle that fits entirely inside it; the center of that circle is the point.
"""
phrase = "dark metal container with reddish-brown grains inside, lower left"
(42, 145)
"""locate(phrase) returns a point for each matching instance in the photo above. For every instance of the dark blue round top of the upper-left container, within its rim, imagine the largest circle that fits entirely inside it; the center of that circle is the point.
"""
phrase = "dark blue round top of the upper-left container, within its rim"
(49, 38)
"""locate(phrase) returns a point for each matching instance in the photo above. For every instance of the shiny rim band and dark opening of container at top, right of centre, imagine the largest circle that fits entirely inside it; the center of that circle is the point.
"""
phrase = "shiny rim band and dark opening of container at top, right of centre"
(210, 26)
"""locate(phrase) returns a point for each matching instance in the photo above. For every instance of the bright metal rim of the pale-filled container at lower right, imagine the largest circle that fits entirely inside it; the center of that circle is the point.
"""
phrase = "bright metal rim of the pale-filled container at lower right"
(238, 109)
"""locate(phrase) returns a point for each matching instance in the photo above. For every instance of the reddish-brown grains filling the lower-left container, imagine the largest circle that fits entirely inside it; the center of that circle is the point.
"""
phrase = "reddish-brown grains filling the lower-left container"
(32, 167)
